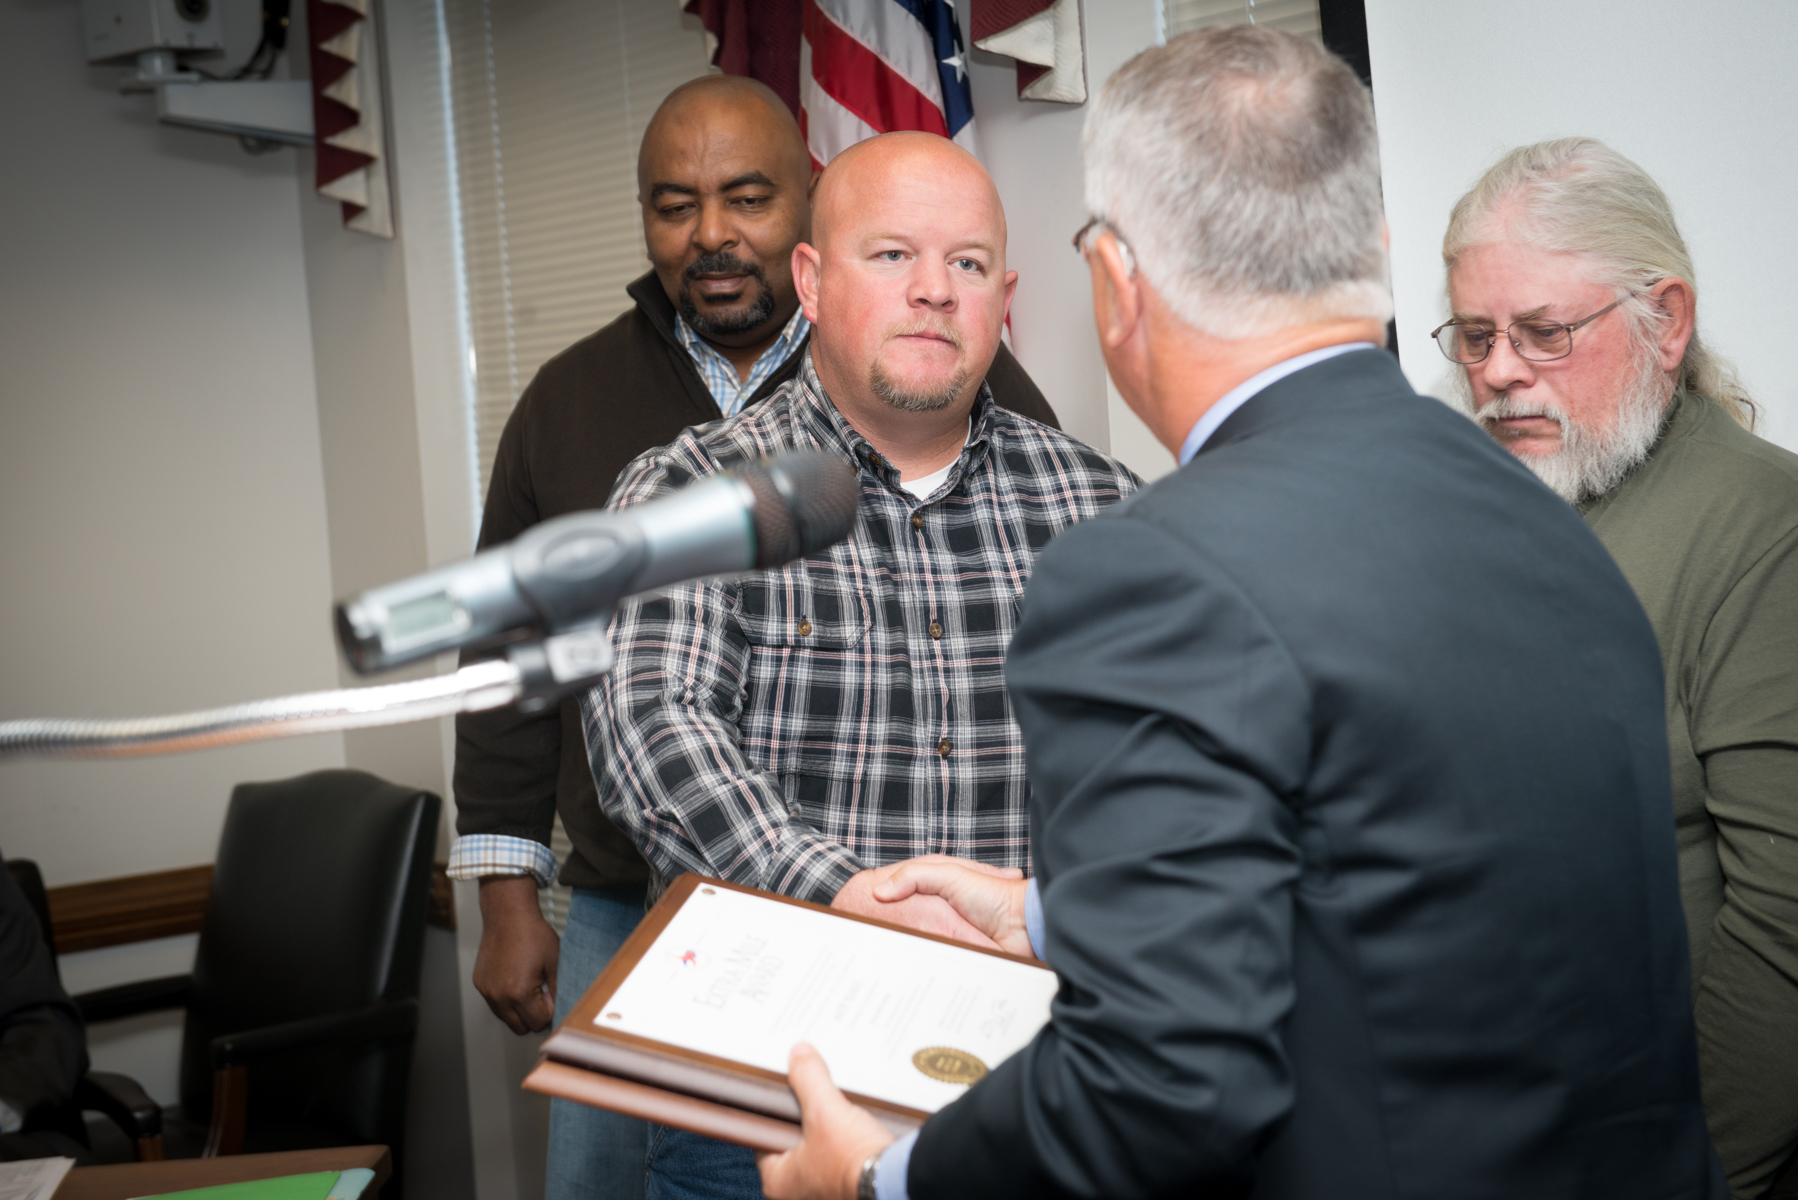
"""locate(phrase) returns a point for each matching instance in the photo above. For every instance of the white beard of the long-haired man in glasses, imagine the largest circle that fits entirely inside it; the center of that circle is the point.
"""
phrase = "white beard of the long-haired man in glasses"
(1587, 465)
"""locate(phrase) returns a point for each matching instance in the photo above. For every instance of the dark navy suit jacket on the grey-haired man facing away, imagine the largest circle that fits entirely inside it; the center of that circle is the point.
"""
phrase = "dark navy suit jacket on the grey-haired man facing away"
(1355, 836)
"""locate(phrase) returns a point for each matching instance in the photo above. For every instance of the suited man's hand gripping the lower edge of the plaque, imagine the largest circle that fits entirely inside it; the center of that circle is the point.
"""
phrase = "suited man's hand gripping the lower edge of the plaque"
(837, 1138)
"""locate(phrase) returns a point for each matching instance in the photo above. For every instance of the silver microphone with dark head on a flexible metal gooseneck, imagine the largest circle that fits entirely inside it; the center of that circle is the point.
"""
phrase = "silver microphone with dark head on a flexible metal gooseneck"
(555, 587)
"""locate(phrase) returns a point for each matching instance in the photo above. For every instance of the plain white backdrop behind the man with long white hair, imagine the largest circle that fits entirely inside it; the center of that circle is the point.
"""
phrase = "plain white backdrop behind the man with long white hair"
(1702, 96)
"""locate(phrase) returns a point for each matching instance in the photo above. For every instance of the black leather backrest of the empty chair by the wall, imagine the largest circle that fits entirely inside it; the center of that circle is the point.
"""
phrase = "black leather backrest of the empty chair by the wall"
(319, 902)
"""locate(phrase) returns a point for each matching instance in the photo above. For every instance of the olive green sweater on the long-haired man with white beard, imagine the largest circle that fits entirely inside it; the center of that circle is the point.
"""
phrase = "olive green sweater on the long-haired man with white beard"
(1707, 533)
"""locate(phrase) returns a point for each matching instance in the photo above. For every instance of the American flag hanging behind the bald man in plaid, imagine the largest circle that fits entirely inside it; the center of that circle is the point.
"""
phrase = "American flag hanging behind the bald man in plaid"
(882, 66)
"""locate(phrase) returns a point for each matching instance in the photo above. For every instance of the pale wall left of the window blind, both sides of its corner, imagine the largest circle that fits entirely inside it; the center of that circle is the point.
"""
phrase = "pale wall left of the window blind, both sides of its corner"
(191, 476)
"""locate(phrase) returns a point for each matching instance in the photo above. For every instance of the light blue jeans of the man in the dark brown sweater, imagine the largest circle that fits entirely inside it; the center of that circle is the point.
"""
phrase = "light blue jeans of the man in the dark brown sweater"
(594, 1154)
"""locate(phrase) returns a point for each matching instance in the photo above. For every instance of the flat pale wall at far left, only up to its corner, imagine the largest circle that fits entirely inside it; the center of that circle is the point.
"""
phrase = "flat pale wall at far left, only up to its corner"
(163, 514)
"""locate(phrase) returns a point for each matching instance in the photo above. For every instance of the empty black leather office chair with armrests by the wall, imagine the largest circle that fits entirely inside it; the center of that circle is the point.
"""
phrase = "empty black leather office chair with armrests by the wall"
(305, 996)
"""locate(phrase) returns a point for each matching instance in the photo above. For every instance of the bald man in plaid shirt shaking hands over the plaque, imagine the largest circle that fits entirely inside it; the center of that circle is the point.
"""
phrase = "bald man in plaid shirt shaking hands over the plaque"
(799, 730)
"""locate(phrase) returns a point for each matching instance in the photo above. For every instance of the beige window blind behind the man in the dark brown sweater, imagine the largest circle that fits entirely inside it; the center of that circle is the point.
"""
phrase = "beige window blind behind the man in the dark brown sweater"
(551, 100)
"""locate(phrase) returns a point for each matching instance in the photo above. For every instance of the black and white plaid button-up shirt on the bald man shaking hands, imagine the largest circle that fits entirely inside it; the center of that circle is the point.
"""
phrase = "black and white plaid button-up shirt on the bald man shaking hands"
(792, 728)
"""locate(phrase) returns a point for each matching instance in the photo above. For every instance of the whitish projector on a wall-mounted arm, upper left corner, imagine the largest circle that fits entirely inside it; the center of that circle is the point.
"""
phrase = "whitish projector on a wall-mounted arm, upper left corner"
(159, 37)
